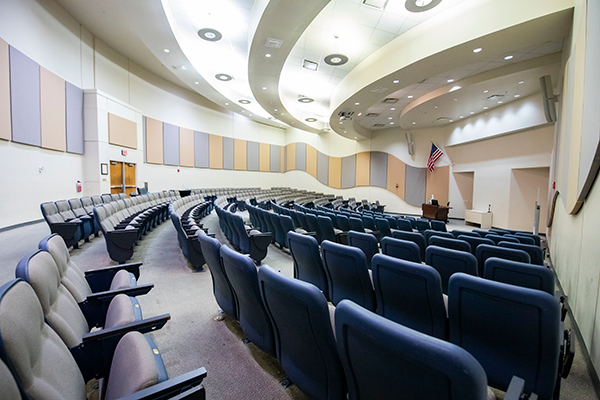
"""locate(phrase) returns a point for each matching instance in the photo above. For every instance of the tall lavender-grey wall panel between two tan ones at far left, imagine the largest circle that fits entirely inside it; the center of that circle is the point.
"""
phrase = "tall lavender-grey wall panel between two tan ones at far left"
(25, 99)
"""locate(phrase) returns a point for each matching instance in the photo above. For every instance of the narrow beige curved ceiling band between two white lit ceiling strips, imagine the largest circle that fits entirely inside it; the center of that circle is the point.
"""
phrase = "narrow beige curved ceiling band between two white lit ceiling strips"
(285, 21)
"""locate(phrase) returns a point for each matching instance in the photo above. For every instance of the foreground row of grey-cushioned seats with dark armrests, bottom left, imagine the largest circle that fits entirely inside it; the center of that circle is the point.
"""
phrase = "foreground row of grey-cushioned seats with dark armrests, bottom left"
(48, 345)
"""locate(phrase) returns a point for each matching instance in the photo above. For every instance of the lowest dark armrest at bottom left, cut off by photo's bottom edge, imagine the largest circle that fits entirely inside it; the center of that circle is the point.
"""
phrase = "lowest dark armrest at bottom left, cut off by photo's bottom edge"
(185, 386)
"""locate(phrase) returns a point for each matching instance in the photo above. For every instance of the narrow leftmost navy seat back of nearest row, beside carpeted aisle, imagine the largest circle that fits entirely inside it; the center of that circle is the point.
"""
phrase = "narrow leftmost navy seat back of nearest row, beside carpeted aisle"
(222, 290)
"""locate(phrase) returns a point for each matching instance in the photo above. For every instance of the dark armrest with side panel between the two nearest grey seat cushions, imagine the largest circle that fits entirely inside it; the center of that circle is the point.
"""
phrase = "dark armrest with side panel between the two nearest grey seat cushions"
(94, 354)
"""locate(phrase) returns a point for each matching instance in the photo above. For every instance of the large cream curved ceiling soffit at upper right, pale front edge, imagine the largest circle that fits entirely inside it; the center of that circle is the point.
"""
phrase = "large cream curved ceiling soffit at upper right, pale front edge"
(444, 43)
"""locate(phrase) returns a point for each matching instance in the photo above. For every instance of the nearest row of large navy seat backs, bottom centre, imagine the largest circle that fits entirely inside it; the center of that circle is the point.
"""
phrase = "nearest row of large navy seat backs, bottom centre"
(347, 352)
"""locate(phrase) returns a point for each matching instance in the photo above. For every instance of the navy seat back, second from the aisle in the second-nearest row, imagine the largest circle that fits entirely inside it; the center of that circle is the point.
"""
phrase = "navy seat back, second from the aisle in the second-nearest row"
(347, 274)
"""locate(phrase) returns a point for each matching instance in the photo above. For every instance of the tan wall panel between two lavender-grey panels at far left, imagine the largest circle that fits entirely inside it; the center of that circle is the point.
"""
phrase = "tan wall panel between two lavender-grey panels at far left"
(52, 107)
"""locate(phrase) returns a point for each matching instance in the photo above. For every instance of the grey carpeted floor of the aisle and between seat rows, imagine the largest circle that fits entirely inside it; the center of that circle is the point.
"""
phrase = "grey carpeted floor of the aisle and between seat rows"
(197, 335)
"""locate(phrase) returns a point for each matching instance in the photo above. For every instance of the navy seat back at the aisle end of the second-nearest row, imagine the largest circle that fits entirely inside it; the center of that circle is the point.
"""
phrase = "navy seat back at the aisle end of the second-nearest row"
(308, 265)
